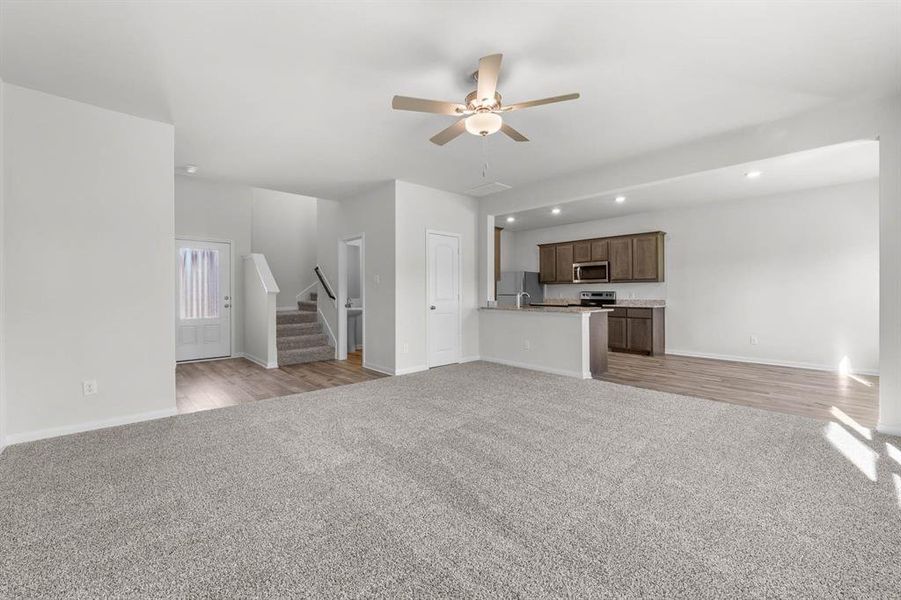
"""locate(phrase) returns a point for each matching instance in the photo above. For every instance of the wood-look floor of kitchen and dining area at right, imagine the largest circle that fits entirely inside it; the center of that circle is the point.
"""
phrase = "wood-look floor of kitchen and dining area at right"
(784, 389)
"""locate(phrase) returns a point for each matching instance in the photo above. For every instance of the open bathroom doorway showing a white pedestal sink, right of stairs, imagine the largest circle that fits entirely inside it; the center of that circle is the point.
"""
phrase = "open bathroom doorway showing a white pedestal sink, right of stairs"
(351, 299)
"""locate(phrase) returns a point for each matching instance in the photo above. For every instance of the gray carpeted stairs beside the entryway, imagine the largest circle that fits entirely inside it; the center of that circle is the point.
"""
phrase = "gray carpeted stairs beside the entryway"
(299, 335)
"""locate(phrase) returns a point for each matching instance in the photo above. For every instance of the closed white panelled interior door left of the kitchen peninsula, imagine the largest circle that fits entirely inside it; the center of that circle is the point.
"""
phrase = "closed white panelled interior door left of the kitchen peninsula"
(444, 299)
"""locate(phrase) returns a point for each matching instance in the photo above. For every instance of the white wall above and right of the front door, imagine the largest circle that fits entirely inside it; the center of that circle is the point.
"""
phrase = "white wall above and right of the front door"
(217, 211)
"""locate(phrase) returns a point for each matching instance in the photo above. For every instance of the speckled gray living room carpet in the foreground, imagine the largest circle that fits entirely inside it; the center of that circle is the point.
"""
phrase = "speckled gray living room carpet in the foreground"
(474, 480)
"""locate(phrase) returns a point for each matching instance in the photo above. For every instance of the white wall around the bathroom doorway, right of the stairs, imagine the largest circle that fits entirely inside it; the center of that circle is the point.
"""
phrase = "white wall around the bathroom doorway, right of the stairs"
(372, 214)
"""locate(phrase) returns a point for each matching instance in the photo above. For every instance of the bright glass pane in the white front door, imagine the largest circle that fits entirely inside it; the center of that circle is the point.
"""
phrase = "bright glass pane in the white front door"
(198, 277)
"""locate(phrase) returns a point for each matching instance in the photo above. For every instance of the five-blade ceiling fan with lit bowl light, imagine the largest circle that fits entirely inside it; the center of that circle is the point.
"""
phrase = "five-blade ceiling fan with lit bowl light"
(482, 108)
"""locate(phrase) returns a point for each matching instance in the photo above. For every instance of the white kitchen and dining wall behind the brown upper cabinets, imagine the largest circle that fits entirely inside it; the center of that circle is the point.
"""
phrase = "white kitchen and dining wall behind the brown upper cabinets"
(799, 271)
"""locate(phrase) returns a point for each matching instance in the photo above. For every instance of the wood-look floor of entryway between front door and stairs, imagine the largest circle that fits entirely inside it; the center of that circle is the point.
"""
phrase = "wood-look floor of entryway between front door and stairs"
(214, 384)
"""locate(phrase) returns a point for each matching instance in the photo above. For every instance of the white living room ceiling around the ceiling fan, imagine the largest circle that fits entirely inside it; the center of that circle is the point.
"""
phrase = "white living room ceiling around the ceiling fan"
(296, 95)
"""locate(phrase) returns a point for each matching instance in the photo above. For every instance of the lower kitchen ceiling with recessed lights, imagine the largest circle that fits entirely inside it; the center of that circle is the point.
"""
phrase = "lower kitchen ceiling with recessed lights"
(821, 167)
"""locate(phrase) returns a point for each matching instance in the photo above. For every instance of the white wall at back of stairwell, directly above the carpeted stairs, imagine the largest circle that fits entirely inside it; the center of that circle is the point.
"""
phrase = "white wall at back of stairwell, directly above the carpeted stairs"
(284, 230)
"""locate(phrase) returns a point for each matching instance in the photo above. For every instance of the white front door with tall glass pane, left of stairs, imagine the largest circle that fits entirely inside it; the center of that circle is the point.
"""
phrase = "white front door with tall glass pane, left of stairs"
(202, 300)
